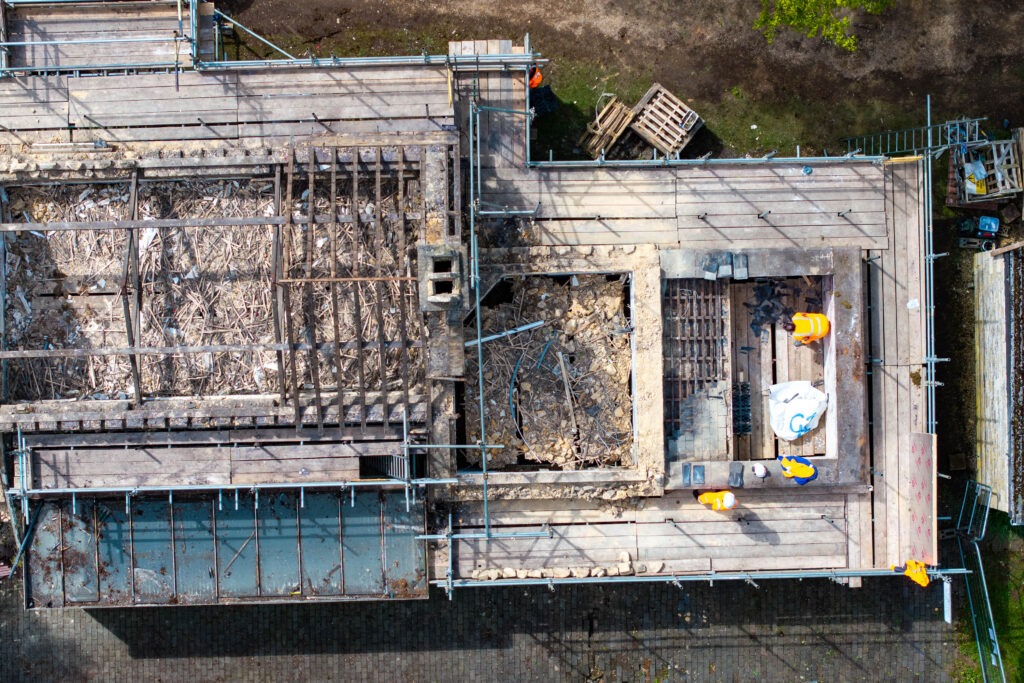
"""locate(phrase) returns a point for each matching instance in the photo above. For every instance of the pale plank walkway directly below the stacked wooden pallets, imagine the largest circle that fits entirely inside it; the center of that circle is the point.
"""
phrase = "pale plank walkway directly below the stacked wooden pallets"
(714, 208)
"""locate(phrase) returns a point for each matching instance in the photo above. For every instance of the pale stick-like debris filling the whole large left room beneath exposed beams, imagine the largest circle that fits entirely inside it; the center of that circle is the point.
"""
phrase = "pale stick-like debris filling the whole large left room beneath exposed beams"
(203, 287)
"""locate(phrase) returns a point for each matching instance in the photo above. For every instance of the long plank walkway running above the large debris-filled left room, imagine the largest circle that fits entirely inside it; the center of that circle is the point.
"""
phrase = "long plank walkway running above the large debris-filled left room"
(199, 106)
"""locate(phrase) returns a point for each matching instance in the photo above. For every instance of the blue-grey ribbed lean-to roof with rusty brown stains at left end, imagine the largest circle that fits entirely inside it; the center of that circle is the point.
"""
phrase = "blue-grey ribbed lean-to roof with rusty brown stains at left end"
(206, 549)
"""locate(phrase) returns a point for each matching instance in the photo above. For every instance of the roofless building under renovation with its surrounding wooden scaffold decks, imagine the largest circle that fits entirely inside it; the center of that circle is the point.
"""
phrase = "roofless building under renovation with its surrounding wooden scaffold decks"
(322, 329)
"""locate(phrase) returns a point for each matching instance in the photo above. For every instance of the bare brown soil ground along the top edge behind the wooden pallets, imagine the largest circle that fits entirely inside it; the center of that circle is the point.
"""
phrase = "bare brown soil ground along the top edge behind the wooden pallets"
(968, 57)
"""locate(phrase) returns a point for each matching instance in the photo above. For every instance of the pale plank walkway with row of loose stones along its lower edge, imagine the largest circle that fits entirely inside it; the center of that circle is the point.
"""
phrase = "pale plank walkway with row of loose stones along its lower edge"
(772, 531)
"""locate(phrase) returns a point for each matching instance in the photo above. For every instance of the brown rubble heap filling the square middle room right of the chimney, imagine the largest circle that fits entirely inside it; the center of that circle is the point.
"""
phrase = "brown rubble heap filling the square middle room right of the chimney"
(558, 395)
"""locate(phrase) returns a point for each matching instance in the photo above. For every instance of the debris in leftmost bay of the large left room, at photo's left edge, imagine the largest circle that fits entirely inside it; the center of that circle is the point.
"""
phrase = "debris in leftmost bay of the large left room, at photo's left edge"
(61, 292)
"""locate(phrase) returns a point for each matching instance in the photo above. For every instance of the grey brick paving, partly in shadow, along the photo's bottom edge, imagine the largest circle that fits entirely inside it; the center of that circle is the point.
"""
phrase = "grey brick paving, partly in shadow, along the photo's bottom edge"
(815, 630)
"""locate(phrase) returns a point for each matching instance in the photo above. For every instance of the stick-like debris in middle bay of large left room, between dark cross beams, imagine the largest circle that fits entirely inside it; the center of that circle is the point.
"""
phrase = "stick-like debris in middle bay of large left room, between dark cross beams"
(206, 286)
